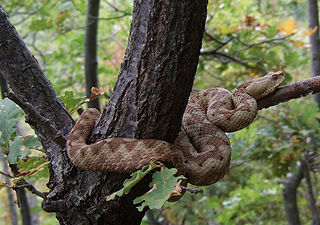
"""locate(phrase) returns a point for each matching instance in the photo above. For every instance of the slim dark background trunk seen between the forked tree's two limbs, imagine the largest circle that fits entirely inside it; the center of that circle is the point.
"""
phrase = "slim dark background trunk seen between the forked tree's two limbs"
(90, 50)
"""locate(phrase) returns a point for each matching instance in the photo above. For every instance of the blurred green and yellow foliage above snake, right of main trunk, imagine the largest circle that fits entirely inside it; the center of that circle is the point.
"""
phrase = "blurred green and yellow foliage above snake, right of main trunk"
(244, 40)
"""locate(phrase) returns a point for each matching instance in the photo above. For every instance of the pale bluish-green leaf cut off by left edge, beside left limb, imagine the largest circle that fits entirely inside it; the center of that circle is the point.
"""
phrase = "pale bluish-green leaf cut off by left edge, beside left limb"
(10, 114)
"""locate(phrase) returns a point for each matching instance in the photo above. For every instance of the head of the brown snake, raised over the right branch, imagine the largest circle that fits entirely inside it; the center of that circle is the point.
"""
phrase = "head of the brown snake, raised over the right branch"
(263, 86)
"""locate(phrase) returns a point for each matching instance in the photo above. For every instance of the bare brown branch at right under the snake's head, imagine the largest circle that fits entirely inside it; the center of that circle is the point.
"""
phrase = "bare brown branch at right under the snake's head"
(291, 91)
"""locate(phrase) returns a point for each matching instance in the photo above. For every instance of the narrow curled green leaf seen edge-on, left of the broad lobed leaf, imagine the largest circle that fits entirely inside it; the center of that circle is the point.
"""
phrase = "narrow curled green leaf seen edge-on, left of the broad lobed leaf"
(135, 178)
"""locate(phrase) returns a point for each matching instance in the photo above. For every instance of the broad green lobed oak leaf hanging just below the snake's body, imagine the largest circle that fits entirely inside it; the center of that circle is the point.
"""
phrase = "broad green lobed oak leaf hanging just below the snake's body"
(163, 183)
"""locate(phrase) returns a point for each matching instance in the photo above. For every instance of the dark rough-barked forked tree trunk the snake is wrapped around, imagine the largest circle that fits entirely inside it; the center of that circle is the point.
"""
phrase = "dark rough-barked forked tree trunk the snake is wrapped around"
(148, 102)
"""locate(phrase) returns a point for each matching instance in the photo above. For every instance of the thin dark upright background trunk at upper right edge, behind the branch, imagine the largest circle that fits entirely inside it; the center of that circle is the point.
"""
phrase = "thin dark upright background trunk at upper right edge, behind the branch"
(313, 19)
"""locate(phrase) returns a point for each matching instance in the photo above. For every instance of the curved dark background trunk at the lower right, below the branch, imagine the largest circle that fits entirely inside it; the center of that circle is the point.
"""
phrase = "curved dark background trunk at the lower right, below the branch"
(289, 192)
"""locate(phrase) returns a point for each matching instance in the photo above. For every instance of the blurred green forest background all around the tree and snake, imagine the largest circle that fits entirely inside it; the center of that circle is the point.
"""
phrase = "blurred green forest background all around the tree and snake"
(273, 159)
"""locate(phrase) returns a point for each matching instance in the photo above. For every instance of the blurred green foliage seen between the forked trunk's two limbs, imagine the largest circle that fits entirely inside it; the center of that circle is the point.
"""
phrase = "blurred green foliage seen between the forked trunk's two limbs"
(53, 31)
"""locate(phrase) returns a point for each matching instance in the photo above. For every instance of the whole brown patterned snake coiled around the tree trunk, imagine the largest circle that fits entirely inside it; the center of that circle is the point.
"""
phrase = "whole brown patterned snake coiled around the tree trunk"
(201, 152)
